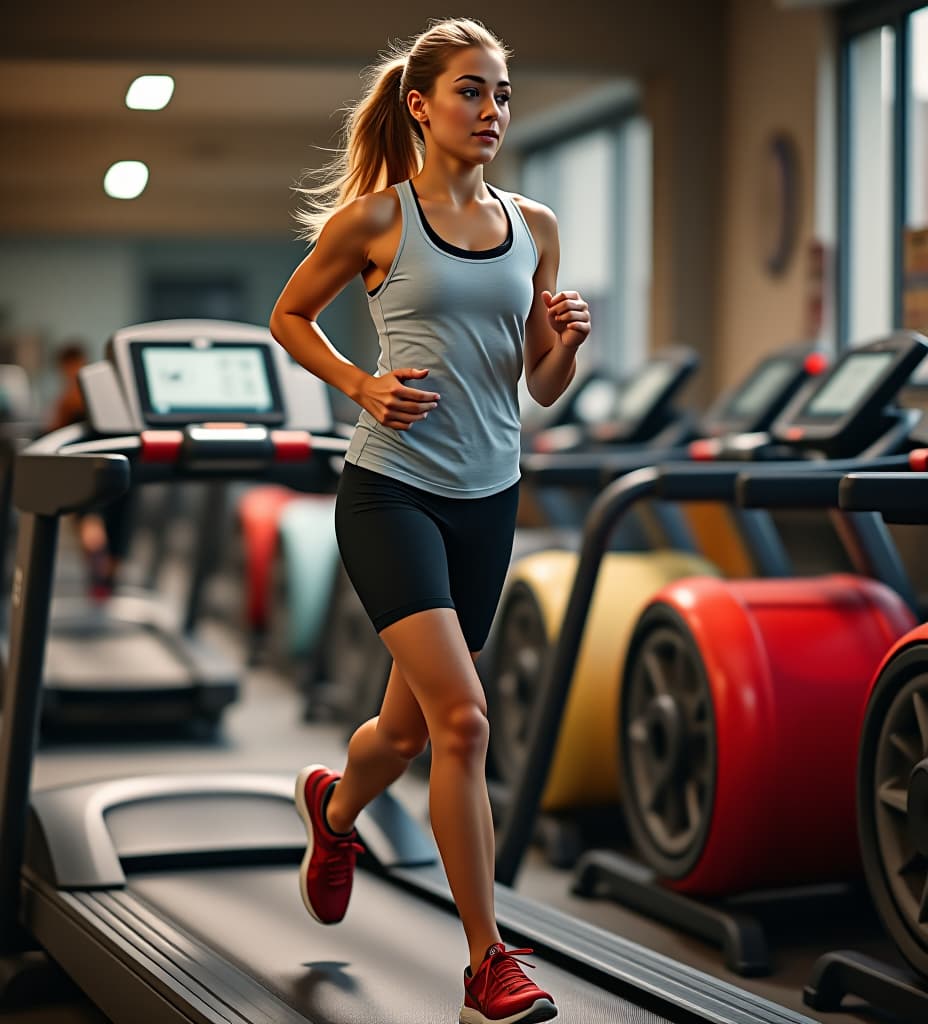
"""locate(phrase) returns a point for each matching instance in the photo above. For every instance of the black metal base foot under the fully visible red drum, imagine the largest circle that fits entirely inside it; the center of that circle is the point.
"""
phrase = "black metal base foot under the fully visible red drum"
(741, 937)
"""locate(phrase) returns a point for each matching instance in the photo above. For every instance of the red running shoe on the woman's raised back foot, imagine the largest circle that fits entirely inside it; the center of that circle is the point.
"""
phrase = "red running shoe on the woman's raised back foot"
(328, 867)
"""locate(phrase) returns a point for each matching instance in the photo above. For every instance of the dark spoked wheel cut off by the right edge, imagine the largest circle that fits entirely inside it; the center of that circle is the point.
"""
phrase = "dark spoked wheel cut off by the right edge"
(893, 801)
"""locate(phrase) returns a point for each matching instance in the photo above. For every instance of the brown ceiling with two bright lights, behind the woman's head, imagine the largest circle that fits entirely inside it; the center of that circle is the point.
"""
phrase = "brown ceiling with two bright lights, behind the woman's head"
(223, 155)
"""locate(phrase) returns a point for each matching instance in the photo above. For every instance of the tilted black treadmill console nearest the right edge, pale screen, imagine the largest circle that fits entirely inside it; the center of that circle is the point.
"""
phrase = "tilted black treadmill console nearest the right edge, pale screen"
(855, 397)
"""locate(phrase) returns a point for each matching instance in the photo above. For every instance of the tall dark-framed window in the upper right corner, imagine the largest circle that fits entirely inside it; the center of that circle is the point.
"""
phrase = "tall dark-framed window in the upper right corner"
(884, 175)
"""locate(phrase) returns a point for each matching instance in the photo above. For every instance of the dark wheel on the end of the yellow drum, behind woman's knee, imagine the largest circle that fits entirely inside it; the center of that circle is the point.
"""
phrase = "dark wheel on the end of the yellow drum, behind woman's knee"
(520, 653)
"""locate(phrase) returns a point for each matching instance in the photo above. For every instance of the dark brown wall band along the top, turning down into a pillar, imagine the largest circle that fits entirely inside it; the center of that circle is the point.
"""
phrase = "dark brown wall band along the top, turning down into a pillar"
(671, 48)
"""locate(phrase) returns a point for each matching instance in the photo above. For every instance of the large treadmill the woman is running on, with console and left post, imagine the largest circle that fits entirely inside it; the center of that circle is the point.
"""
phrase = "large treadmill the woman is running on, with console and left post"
(176, 899)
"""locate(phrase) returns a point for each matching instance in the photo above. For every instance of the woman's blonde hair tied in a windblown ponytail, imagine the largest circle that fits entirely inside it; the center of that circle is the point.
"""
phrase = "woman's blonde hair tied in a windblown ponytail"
(383, 143)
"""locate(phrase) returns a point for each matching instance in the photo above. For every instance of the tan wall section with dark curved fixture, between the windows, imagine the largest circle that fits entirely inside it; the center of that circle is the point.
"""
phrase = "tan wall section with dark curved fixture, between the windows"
(772, 86)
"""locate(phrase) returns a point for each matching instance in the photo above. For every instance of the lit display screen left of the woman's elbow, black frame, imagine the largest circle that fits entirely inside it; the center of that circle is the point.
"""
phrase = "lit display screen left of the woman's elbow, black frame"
(188, 381)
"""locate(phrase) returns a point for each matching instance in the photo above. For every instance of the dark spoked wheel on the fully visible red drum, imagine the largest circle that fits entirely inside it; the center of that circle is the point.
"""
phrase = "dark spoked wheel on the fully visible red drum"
(668, 726)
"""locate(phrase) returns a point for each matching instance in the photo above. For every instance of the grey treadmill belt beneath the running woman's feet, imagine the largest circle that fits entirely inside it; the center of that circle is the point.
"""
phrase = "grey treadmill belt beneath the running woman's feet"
(396, 960)
